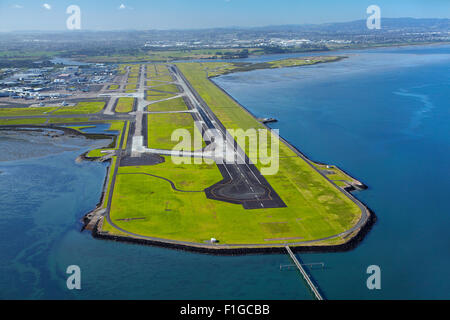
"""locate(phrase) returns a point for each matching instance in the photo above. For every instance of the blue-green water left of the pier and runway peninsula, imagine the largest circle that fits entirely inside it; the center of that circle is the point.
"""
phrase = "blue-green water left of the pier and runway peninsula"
(43, 198)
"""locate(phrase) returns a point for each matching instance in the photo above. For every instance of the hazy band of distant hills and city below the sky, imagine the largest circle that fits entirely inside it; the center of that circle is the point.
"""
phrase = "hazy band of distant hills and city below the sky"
(310, 37)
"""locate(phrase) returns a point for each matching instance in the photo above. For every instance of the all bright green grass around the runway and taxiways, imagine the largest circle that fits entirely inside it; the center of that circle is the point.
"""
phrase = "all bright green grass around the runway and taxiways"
(315, 208)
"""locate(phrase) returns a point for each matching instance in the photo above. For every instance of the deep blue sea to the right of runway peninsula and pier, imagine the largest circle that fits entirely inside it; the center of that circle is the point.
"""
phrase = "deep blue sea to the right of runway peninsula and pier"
(384, 117)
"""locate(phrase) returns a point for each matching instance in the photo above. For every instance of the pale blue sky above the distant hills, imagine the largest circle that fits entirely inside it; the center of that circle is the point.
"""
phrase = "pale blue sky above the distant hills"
(196, 14)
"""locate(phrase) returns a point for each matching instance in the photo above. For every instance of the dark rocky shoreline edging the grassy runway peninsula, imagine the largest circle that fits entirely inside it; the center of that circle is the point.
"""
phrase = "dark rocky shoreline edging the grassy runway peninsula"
(348, 239)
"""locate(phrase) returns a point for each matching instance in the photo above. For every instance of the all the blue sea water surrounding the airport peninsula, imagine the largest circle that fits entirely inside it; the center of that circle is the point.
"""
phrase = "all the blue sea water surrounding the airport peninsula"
(382, 115)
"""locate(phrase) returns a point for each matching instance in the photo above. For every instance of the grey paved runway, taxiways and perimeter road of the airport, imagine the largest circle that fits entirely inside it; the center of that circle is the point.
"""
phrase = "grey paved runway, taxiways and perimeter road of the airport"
(242, 183)
